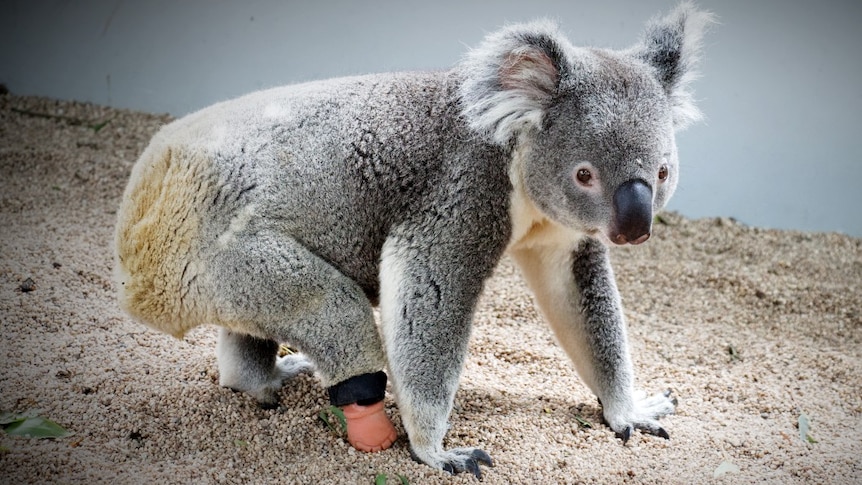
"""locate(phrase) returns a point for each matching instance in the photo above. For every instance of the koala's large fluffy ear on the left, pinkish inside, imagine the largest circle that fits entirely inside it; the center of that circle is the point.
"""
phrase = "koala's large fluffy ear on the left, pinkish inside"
(508, 82)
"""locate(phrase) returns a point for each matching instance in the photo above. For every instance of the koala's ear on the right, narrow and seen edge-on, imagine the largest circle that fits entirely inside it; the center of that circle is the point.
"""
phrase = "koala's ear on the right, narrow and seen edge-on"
(672, 45)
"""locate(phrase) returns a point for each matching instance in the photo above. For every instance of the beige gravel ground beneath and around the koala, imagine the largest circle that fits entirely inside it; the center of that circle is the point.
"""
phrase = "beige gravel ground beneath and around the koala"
(749, 327)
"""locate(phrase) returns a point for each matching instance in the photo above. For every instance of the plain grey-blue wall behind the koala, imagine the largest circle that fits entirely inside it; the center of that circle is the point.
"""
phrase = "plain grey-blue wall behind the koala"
(781, 86)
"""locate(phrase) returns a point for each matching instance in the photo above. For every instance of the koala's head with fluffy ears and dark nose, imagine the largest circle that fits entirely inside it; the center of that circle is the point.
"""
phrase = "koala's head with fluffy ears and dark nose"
(594, 128)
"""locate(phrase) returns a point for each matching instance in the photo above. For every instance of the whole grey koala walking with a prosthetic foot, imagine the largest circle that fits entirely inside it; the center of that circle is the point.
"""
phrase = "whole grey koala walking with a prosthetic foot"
(286, 215)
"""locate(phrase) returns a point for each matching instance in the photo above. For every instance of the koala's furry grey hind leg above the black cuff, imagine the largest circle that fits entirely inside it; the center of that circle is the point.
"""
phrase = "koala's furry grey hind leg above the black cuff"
(273, 286)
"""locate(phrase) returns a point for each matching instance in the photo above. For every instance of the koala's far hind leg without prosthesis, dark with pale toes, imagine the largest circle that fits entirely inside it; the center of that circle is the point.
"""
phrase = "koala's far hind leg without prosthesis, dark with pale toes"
(251, 364)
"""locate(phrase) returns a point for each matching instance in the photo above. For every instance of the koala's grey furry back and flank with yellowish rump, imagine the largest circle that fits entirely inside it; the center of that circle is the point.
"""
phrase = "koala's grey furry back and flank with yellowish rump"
(331, 164)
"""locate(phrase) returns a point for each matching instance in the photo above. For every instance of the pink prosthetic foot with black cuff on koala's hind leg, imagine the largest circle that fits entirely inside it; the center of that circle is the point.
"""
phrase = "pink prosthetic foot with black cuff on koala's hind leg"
(361, 398)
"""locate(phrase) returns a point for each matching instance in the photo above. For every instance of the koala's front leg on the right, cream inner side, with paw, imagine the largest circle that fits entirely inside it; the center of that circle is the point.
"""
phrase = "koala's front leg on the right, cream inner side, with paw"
(578, 295)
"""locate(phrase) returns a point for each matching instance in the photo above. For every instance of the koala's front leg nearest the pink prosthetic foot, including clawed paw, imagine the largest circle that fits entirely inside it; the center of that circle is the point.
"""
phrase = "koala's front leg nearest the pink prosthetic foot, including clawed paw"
(426, 299)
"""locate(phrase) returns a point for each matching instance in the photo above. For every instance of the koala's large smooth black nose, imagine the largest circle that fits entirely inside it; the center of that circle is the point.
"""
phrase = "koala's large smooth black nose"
(632, 213)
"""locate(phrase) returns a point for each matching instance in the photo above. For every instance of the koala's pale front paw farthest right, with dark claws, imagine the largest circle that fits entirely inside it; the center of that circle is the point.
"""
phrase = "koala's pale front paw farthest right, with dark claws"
(644, 416)
